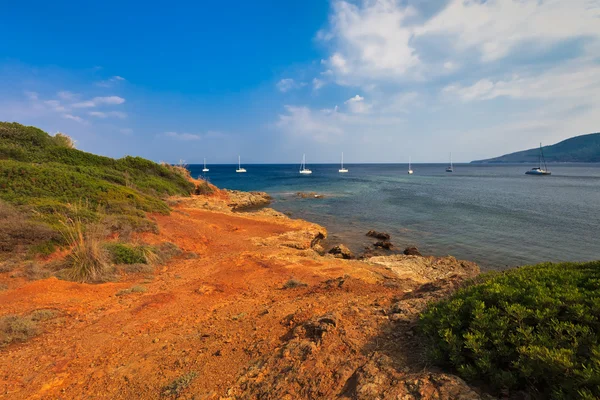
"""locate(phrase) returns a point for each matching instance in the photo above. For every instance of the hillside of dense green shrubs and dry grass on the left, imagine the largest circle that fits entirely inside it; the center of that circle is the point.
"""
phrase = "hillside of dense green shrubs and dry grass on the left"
(53, 194)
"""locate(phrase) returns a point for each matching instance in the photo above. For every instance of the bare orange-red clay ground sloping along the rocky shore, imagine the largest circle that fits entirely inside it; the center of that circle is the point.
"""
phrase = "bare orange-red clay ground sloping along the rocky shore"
(224, 325)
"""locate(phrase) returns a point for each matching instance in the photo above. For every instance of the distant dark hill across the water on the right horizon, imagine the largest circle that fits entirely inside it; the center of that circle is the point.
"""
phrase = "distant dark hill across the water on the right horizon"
(584, 148)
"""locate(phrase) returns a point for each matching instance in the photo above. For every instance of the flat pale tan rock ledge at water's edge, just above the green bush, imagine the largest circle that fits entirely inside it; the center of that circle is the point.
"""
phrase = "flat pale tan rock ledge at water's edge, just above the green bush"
(426, 269)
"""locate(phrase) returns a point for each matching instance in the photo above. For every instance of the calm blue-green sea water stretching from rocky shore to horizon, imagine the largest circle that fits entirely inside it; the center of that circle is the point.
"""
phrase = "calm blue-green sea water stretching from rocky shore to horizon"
(494, 215)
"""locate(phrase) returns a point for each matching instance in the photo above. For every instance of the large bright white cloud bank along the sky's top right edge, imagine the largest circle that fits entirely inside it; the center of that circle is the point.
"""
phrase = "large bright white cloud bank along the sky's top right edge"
(379, 39)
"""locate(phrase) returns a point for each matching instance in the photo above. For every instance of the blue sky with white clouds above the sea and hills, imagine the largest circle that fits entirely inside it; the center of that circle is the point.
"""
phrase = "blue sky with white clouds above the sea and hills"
(380, 80)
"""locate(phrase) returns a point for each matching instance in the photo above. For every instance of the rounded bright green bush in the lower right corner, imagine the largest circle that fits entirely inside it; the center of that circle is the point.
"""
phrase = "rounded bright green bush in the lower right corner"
(535, 328)
